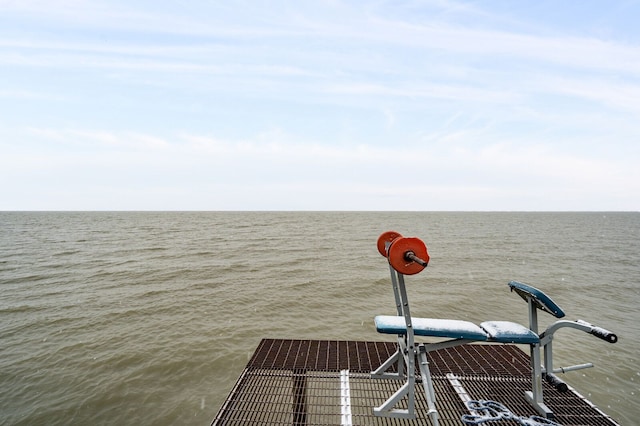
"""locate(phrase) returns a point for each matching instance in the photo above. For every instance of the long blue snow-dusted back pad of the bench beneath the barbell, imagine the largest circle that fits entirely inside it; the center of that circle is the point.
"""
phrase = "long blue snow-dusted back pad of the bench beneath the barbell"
(454, 329)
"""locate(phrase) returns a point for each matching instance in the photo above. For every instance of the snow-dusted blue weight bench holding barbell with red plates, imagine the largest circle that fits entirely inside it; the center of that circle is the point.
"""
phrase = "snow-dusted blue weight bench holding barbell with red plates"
(409, 256)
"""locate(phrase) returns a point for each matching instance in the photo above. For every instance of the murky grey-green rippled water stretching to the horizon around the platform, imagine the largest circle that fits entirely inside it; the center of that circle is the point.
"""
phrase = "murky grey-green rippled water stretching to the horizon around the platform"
(148, 318)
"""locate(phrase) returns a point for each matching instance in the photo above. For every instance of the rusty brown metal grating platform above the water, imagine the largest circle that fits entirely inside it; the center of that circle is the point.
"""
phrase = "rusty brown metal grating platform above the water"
(301, 382)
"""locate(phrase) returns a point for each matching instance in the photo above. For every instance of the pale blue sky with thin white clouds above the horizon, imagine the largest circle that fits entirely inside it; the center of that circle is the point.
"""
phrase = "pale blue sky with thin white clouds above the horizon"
(430, 105)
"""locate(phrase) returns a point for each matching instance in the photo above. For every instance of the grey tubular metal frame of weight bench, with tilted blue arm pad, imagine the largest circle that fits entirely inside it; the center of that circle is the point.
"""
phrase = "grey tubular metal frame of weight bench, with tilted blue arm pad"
(408, 351)
